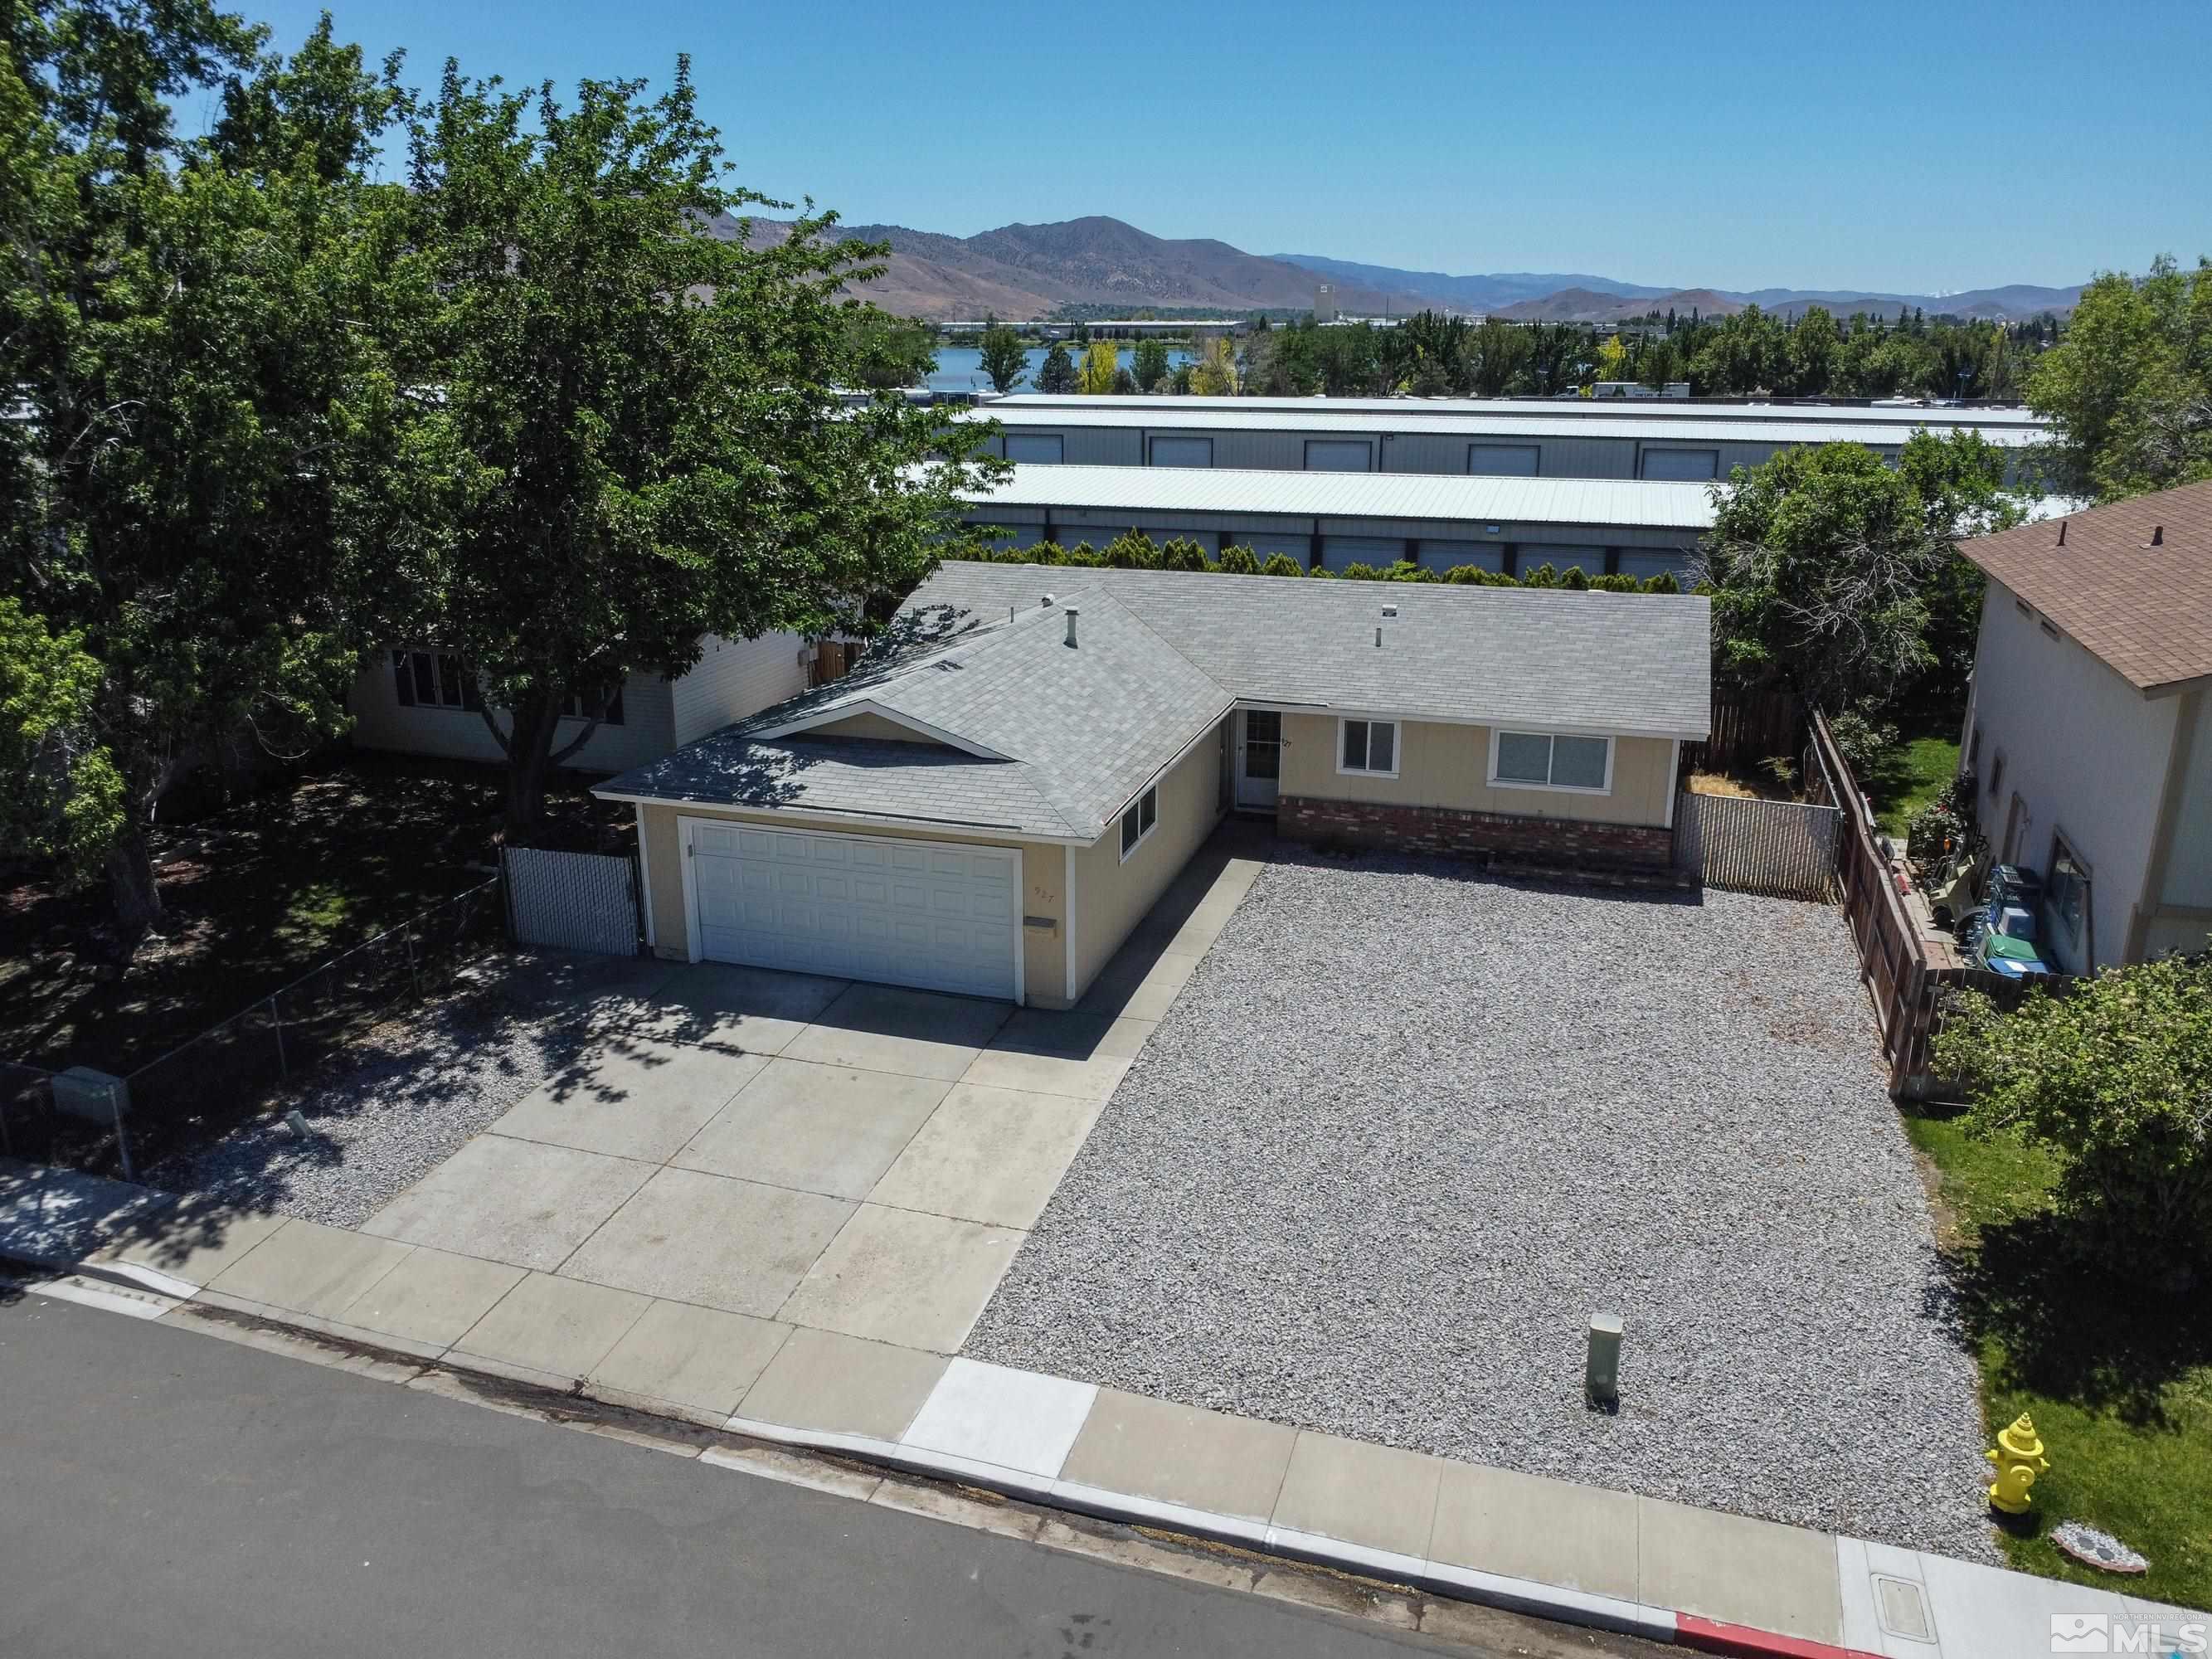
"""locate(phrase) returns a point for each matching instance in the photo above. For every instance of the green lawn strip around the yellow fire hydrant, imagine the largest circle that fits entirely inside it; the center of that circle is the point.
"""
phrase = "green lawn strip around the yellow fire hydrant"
(2120, 1384)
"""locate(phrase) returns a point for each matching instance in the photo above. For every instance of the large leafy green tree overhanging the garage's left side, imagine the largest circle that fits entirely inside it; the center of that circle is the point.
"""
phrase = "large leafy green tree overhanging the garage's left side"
(638, 439)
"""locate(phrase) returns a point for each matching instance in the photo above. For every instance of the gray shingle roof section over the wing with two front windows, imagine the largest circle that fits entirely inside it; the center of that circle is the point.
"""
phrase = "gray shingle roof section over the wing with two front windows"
(1611, 662)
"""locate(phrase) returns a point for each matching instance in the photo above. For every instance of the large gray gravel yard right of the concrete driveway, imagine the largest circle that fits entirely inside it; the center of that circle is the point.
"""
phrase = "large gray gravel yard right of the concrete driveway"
(1404, 1134)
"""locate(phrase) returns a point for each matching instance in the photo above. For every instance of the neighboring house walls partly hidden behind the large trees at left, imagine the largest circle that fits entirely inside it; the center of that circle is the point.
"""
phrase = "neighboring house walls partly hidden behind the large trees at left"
(424, 702)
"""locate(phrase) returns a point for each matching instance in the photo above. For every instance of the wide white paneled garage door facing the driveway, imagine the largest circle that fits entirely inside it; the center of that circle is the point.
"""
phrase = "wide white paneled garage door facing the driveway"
(857, 908)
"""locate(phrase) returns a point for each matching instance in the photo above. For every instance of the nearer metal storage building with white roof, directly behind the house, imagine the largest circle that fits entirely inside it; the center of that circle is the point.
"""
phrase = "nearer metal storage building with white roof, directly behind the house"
(1335, 519)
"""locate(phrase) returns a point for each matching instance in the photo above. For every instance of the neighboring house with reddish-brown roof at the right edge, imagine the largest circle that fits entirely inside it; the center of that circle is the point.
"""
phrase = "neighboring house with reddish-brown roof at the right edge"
(2087, 729)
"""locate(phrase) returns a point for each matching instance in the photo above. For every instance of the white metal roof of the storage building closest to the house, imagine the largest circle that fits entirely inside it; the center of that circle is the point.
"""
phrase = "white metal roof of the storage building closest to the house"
(1419, 497)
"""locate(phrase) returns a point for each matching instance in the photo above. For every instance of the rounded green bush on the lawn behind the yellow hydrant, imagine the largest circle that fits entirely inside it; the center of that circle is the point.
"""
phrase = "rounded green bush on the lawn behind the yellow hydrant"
(2118, 1081)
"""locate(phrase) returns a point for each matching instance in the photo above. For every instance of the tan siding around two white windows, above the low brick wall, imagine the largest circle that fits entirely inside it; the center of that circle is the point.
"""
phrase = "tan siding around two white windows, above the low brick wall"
(1448, 766)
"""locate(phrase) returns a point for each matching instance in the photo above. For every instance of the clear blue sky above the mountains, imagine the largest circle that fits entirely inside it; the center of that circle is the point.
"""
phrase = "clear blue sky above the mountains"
(1804, 147)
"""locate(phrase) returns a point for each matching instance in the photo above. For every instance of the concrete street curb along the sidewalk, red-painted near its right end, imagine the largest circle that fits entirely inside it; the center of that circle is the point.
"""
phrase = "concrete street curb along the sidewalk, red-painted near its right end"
(1474, 1587)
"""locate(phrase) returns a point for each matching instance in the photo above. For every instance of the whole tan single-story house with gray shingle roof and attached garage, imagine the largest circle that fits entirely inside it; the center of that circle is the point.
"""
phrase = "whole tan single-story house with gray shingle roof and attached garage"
(1005, 786)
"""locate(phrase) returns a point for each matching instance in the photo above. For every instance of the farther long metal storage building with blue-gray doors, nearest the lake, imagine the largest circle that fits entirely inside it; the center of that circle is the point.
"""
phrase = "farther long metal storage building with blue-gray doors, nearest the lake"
(1412, 437)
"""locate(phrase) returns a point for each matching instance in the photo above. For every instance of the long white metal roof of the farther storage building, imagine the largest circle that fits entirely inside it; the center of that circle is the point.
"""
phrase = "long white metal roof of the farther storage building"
(1333, 417)
